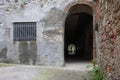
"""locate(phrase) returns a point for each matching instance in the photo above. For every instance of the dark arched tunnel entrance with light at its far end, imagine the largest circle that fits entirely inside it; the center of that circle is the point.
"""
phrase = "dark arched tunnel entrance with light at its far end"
(78, 40)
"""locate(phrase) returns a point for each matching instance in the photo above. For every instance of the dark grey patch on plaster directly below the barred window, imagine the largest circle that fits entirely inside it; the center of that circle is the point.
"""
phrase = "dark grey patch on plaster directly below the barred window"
(27, 52)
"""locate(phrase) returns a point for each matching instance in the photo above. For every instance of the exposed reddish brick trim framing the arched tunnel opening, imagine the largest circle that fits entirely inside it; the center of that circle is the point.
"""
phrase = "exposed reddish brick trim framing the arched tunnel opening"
(94, 6)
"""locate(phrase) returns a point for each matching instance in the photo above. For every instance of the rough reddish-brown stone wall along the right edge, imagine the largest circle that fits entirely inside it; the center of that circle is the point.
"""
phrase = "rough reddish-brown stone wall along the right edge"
(109, 38)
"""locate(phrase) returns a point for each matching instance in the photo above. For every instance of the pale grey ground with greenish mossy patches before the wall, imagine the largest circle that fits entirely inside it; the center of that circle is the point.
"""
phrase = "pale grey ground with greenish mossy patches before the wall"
(25, 72)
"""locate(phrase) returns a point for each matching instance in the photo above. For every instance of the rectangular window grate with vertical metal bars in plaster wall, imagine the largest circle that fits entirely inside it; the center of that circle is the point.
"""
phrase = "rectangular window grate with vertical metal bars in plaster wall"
(24, 31)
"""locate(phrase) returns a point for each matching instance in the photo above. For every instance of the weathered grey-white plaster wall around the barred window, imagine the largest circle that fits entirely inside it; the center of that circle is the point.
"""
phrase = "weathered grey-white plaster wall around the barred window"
(49, 15)
